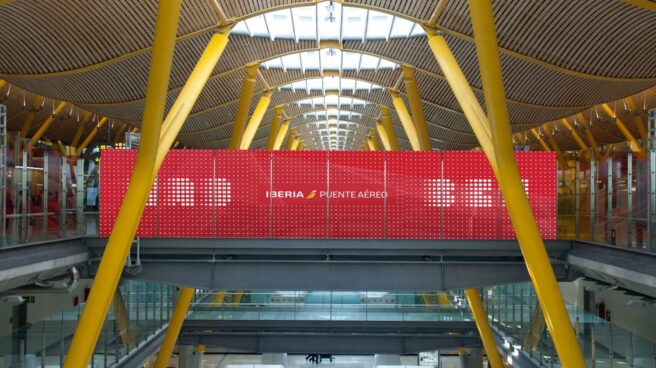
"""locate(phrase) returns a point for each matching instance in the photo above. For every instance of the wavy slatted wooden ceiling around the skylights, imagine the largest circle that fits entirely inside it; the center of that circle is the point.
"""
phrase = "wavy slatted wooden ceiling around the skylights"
(558, 57)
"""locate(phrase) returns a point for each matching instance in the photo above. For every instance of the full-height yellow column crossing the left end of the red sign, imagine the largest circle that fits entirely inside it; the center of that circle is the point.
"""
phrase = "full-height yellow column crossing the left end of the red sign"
(109, 271)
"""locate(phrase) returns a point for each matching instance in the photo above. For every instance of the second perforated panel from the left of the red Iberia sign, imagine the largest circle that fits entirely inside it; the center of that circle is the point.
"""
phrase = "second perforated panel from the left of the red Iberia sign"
(185, 195)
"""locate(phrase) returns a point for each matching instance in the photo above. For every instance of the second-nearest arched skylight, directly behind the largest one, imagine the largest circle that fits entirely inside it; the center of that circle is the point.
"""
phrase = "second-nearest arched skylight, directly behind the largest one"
(329, 59)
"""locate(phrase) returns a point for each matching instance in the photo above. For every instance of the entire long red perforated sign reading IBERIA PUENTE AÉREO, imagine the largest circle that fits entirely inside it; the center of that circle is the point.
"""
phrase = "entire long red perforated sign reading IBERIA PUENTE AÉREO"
(321, 194)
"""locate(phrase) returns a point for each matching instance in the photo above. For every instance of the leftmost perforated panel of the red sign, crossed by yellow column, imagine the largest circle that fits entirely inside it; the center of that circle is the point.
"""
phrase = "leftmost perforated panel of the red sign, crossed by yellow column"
(115, 172)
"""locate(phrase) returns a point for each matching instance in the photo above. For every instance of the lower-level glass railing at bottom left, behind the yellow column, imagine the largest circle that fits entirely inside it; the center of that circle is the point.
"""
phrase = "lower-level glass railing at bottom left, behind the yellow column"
(141, 311)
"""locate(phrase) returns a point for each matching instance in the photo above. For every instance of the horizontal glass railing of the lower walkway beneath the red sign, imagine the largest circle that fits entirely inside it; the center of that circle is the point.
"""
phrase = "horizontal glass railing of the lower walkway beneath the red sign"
(329, 306)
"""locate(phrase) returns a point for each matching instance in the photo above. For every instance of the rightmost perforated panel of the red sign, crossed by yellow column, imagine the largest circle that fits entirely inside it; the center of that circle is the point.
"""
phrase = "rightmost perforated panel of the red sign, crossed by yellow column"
(538, 172)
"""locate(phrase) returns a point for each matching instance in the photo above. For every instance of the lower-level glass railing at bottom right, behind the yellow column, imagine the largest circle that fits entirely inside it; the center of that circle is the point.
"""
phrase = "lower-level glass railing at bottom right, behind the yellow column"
(512, 310)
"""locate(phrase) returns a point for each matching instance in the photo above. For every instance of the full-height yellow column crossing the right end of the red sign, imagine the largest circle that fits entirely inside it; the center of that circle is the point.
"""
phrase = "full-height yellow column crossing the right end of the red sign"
(519, 209)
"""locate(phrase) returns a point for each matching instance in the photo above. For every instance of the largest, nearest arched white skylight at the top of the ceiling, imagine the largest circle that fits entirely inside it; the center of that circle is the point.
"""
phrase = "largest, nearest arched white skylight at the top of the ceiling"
(328, 20)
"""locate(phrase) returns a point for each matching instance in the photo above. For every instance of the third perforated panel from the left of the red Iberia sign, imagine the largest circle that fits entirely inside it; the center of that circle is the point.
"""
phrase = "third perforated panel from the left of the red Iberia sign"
(242, 180)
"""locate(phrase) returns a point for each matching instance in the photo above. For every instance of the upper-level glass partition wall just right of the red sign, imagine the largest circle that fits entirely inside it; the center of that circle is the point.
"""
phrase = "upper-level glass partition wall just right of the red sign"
(607, 198)
